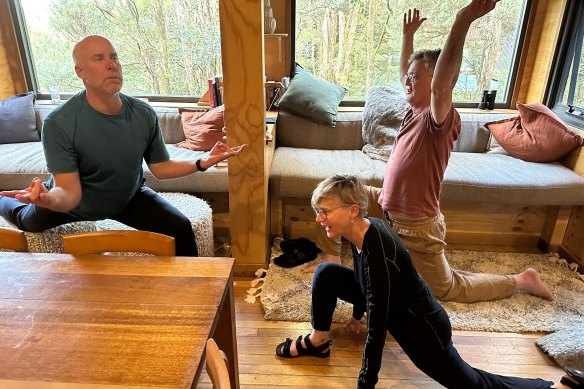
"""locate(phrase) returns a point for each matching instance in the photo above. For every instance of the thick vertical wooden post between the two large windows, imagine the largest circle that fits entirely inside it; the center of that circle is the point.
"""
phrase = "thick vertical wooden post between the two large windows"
(243, 76)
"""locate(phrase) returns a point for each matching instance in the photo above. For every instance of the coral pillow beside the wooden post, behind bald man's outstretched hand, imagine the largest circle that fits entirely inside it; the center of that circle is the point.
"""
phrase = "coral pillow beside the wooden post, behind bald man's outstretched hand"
(202, 129)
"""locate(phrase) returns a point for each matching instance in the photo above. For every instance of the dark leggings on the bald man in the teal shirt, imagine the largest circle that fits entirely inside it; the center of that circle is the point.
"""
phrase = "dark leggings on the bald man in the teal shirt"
(147, 211)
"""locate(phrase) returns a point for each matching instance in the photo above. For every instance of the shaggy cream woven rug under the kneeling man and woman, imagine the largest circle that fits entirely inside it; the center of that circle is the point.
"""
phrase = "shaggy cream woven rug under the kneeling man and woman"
(286, 293)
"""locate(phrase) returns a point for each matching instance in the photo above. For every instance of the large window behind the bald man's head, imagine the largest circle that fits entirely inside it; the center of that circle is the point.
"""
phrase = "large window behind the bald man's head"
(166, 47)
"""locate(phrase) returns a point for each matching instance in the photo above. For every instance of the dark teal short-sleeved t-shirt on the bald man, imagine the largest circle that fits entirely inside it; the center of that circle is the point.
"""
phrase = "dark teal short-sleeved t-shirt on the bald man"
(106, 150)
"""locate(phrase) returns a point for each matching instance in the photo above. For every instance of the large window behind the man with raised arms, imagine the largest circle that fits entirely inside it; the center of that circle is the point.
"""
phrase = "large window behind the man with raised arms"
(357, 43)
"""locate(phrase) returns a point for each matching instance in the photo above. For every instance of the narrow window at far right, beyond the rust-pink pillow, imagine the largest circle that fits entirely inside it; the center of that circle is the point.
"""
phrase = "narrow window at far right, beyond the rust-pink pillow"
(567, 82)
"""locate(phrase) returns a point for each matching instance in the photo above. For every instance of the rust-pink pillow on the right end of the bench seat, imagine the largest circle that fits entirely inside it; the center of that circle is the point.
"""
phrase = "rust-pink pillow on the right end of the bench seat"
(536, 135)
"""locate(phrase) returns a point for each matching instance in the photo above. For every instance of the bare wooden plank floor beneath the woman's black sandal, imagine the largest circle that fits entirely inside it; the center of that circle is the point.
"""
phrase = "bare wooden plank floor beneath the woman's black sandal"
(501, 353)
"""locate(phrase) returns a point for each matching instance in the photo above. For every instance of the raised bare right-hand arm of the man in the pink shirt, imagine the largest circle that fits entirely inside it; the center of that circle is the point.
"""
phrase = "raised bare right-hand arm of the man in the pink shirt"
(448, 64)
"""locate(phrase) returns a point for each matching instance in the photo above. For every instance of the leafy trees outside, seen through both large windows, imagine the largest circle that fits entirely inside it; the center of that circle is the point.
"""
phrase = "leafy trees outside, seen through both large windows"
(173, 46)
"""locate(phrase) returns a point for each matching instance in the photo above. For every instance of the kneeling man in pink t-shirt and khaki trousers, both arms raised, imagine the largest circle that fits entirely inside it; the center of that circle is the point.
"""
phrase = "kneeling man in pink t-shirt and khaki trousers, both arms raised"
(409, 199)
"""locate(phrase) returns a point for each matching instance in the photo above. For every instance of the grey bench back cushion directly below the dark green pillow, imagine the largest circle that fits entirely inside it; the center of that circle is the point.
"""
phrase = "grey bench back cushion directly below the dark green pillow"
(296, 131)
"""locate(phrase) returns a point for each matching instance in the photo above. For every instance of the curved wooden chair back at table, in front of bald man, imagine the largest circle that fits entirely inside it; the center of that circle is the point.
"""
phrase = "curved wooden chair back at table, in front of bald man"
(97, 242)
